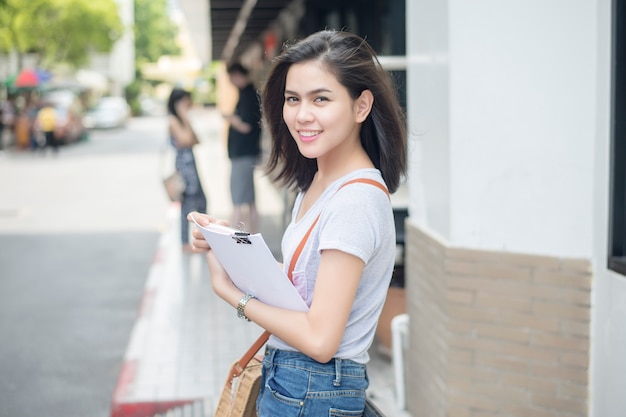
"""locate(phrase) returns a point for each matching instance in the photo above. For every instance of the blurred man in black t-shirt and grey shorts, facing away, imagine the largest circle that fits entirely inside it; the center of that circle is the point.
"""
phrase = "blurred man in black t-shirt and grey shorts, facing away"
(244, 147)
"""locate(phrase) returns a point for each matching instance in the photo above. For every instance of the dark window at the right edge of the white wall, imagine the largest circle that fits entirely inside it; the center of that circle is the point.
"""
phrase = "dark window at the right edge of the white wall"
(617, 205)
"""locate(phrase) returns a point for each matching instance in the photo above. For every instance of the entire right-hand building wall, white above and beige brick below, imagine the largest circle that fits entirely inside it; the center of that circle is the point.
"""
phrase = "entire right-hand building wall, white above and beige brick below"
(512, 310)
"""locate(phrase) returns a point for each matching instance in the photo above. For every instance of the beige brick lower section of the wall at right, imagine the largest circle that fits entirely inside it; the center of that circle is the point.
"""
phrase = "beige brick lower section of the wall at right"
(495, 334)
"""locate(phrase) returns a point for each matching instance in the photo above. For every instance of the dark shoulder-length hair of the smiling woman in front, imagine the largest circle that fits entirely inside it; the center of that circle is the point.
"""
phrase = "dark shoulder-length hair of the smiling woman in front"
(354, 64)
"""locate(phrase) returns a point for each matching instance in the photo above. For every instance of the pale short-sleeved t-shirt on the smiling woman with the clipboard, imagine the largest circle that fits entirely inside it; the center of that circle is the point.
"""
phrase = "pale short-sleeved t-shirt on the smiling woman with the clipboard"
(356, 219)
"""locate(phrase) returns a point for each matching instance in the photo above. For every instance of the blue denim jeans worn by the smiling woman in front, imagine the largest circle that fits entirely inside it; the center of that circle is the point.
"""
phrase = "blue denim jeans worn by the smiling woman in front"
(294, 385)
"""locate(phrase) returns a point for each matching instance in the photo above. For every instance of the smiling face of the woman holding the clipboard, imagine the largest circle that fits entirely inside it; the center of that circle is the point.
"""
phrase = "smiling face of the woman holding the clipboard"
(319, 112)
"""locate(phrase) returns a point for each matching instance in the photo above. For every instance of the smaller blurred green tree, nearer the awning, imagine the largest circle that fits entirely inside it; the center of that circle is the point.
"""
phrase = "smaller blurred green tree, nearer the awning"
(155, 32)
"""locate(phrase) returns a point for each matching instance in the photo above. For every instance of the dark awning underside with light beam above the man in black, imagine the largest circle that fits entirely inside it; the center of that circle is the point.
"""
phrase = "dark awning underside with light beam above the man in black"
(236, 24)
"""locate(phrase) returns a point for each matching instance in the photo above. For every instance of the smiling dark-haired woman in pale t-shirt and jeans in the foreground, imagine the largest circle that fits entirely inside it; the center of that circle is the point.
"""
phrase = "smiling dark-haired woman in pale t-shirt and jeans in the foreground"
(334, 117)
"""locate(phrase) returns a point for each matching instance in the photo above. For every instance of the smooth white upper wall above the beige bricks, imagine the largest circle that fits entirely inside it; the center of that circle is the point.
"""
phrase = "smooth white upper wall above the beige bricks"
(501, 106)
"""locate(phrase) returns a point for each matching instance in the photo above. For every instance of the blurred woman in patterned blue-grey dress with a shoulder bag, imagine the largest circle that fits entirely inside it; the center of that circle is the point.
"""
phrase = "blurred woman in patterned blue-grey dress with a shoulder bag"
(183, 138)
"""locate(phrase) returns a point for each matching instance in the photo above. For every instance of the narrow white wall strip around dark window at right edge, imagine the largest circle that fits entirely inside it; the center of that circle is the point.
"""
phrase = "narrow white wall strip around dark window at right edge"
(608, 332)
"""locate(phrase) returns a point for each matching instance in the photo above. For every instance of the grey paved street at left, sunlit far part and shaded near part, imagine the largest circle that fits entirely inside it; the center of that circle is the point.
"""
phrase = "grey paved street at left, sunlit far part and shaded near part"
(78, 232)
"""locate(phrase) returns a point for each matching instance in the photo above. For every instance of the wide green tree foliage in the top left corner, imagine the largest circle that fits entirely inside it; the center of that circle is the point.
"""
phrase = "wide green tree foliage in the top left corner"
(59, 30)
